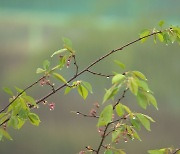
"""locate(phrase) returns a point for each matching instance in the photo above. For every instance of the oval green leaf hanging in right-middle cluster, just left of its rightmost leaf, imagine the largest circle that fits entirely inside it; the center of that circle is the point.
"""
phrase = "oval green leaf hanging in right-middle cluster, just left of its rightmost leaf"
(142, 100)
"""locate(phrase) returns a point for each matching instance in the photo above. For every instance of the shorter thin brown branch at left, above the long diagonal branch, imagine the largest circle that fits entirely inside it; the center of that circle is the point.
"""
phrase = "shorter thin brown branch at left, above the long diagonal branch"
(30, 86)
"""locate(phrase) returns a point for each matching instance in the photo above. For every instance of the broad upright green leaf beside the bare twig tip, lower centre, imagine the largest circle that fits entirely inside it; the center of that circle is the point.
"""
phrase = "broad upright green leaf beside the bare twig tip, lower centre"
(105, 116)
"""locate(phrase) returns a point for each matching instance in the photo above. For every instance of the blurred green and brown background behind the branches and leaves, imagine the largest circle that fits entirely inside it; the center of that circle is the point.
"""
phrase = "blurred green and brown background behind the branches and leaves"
(30, 31)
